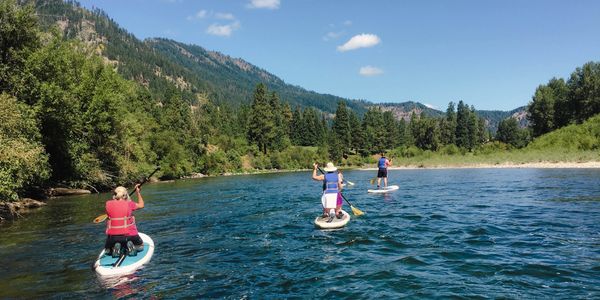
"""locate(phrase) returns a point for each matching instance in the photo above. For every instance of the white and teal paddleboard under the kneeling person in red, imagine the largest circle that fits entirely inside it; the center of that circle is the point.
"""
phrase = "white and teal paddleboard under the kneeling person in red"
(104, 265)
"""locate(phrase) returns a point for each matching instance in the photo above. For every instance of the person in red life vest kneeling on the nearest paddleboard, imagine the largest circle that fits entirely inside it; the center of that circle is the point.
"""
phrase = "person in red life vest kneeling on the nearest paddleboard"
(120, 227)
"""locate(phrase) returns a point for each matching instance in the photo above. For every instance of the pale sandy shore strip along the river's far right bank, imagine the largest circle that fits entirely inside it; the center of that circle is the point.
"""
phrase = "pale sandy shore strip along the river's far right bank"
(535, 165)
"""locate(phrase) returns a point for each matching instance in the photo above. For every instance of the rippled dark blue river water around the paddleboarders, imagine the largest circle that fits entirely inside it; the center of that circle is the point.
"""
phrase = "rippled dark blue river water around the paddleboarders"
(516, 233)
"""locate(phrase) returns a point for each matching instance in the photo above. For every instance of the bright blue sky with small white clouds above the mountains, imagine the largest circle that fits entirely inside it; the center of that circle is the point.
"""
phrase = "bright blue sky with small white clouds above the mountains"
(490, 54)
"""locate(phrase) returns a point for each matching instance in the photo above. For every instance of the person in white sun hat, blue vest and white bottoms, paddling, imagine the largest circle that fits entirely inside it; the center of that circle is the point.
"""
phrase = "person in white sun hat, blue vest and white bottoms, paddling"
(332, 186)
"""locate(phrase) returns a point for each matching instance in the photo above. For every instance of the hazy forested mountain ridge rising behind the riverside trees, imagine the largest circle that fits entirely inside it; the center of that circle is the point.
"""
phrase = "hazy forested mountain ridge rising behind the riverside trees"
(159, 64)
